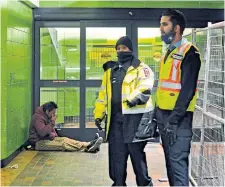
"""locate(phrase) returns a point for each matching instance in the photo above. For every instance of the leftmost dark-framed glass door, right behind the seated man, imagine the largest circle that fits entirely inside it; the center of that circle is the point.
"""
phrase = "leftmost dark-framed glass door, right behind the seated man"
(57, 72)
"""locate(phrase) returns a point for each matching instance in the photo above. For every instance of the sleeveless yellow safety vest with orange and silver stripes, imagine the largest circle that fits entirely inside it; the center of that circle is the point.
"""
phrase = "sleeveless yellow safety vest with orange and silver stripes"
(169, 84)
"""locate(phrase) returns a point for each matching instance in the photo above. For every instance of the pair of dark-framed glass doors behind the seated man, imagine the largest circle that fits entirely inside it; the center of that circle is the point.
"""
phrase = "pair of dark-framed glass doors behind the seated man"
(68, 70)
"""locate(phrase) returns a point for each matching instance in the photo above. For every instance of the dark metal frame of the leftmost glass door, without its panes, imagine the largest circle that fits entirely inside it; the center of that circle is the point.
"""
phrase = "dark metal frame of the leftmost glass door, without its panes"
(38, 83)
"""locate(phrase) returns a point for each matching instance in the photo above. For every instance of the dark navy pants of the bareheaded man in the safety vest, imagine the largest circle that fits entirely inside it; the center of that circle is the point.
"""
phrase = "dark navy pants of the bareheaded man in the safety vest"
(176, 156)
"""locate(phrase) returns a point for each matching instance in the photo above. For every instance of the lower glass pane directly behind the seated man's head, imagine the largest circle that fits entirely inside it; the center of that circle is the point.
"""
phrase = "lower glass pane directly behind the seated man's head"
(68, 101)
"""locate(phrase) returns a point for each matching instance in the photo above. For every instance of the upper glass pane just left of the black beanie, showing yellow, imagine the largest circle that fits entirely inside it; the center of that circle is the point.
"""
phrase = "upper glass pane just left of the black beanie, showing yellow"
(100, 44)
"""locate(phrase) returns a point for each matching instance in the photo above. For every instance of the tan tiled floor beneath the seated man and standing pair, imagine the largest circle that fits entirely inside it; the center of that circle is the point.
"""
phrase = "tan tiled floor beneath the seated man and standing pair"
(75, 168)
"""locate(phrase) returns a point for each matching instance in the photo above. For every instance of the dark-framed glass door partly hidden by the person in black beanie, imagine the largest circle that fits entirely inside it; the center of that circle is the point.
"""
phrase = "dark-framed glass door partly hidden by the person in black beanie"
(100, 40)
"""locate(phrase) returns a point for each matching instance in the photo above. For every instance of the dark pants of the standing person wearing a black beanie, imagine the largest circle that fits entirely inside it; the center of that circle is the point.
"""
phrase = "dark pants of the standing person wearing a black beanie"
(118, 155)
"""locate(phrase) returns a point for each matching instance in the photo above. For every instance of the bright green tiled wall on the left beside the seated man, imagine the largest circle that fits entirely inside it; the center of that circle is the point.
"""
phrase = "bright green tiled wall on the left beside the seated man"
(16, 64)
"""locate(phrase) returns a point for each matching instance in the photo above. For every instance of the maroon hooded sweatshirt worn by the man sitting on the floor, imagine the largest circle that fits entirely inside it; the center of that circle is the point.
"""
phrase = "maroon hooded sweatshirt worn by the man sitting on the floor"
(41, 127)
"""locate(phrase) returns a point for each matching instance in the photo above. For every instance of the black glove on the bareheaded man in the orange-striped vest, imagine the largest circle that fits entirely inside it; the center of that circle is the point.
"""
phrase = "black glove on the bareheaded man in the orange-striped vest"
(171, 133)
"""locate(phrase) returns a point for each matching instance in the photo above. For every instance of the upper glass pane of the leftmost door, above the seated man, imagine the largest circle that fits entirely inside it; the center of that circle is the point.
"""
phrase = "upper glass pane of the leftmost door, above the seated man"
(60, 53)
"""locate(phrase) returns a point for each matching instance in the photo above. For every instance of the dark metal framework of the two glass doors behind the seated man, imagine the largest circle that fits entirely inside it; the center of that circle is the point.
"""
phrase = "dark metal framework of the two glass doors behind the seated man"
(81, 133)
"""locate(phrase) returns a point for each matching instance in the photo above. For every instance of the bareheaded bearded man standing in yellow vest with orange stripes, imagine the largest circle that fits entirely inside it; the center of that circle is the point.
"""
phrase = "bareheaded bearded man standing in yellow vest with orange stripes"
(176, 96)
